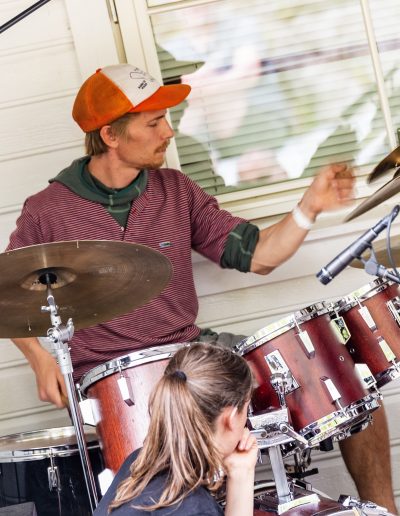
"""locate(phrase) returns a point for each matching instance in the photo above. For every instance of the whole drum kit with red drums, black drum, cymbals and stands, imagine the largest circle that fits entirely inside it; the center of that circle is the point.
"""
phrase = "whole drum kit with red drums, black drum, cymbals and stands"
(318, 373)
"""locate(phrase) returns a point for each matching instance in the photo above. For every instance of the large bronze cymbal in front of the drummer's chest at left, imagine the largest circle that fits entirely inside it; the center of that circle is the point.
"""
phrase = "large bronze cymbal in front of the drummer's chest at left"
(93, 281)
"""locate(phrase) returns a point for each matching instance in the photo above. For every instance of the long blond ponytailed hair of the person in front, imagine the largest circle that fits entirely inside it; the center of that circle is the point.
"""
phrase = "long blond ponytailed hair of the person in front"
(198, 383)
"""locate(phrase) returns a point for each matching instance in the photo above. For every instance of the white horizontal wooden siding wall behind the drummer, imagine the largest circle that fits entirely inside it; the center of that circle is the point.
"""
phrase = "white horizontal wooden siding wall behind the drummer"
(43, 60)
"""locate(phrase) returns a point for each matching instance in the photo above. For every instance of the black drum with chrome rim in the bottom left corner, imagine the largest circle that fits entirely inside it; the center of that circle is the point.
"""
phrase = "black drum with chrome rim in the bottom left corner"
(45, 467)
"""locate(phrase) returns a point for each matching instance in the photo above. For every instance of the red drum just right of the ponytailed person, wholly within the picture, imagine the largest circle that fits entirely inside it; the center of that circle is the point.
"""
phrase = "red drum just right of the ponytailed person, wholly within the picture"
(323, 392)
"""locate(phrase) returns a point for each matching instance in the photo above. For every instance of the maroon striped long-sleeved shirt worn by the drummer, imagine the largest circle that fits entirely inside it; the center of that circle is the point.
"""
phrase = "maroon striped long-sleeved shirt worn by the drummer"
(172, 209)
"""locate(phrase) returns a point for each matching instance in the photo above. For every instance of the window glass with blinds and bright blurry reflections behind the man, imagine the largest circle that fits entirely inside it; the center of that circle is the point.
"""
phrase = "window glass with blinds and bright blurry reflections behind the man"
(279, 88)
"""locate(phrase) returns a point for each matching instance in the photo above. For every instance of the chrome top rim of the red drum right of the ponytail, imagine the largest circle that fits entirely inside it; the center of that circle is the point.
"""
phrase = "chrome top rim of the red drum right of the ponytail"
(277, 328)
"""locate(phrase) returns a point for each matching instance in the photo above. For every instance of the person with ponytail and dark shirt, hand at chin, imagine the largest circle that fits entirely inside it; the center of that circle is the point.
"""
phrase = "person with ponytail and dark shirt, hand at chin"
(196, 440)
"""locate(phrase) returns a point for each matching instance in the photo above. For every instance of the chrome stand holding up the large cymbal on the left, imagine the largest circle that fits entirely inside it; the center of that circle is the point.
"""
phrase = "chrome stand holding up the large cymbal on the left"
(60, 335)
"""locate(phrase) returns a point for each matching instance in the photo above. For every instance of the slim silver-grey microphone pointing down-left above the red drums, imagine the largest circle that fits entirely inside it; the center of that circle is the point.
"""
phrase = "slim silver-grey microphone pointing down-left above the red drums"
(354, 250)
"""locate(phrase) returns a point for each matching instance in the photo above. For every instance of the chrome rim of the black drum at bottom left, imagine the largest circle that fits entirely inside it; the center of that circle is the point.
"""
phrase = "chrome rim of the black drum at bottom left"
(43, 452)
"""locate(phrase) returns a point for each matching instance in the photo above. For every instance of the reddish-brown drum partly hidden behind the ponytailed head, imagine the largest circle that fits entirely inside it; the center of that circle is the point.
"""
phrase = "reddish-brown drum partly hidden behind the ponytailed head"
(119, 391)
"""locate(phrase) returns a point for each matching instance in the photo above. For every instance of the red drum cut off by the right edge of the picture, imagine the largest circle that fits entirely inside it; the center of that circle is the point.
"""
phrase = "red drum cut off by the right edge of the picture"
(372, 315)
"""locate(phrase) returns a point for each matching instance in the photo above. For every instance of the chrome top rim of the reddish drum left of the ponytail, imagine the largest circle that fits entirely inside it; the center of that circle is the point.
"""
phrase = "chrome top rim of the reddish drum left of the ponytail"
(134, 359)
